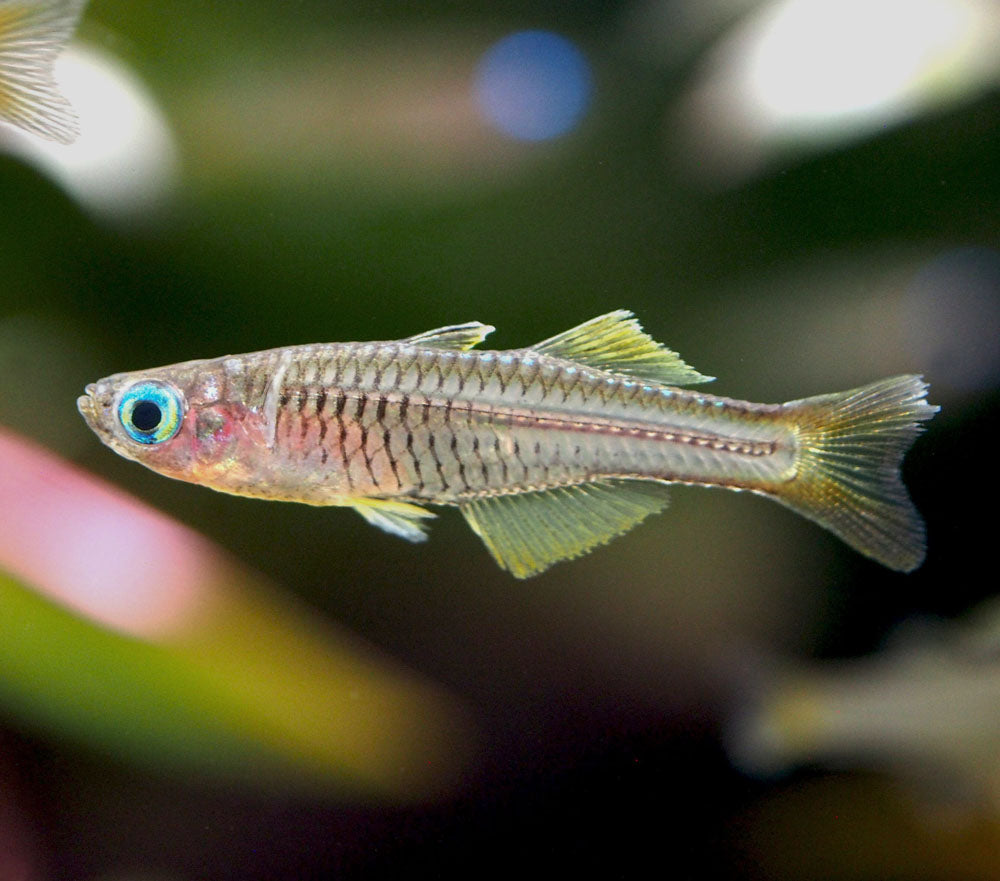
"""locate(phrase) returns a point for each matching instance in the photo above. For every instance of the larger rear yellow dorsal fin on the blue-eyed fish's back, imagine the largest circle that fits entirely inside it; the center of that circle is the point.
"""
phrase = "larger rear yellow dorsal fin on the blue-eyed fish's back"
(616, 342)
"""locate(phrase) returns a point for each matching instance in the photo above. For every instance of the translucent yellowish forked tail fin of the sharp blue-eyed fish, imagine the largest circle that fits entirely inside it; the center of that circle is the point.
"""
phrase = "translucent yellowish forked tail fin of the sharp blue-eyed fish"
(847, 467)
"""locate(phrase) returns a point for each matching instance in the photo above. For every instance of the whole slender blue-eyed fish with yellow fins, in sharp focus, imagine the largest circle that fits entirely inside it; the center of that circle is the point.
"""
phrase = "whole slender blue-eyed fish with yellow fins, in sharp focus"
(548, 451)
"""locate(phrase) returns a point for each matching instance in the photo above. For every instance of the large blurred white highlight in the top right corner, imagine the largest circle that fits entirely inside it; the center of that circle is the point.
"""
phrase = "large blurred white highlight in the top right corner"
(799, 75)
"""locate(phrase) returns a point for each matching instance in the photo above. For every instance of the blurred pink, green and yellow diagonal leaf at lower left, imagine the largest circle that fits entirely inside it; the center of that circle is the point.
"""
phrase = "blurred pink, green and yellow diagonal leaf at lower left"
(225, 677)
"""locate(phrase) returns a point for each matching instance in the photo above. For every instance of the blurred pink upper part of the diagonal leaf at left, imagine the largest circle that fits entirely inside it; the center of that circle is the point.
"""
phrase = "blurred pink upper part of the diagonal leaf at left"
(95, 549)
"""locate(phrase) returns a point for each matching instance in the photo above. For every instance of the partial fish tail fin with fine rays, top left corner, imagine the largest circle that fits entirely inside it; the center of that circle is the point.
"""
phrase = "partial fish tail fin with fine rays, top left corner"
(32, 35)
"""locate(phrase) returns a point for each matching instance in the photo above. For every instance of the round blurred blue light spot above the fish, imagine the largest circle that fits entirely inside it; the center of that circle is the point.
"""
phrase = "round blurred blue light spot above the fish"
(533, 85)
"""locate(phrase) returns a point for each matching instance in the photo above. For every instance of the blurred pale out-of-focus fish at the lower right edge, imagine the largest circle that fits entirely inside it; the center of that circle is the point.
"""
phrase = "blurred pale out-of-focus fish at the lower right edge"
(924, 708)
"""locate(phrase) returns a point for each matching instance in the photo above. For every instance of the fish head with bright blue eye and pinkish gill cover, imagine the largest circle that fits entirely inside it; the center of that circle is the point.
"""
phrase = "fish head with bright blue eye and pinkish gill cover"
(174, 421)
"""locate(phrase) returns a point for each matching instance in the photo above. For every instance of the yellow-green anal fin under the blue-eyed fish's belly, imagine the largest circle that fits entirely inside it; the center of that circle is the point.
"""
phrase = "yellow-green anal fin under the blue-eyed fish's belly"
(528, 532)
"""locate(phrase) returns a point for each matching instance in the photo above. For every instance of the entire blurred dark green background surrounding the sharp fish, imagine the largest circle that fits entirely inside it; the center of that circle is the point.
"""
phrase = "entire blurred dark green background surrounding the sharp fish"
(799, 196)
